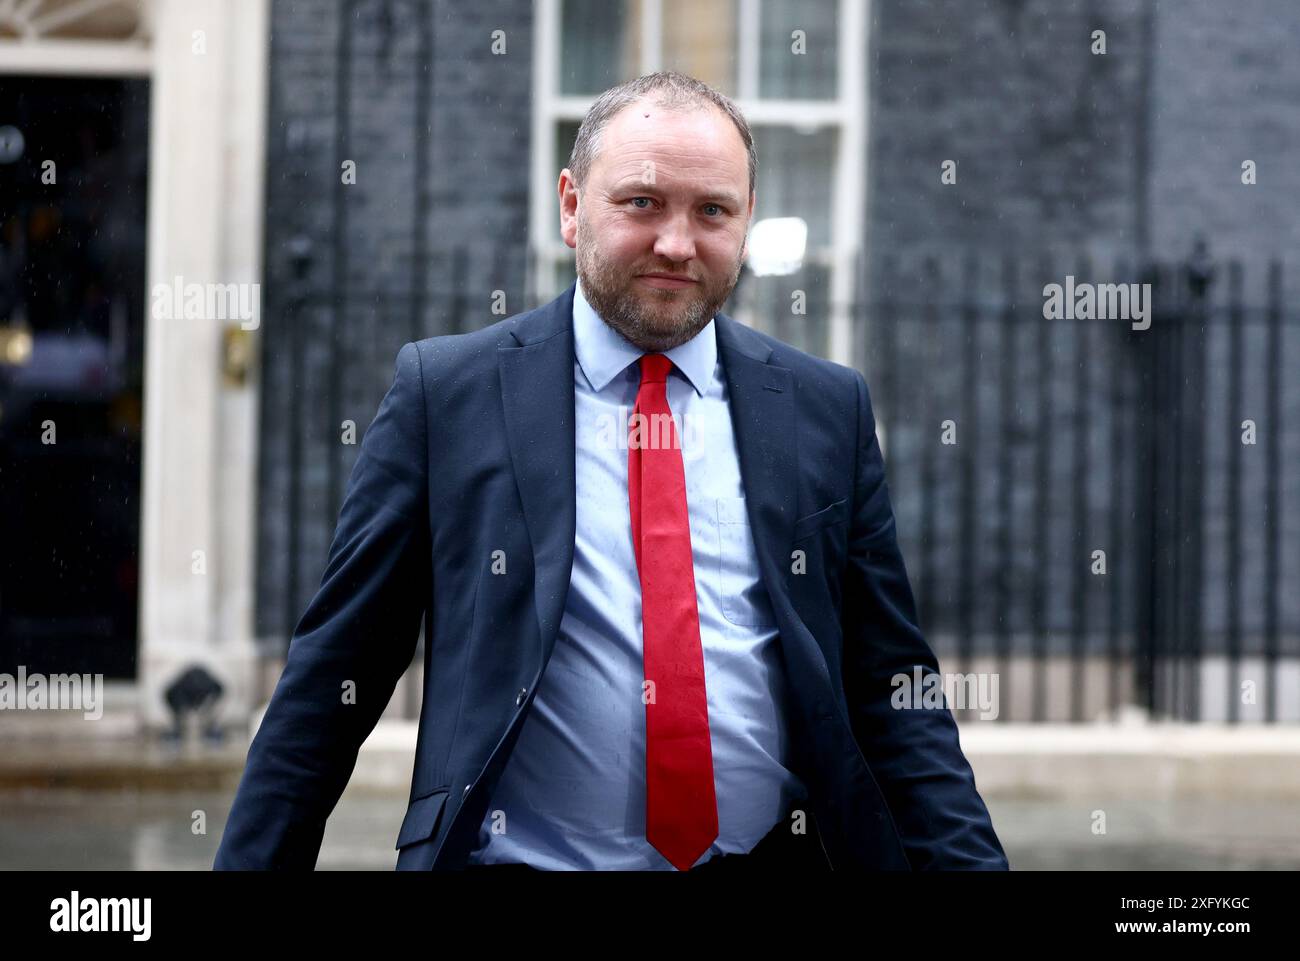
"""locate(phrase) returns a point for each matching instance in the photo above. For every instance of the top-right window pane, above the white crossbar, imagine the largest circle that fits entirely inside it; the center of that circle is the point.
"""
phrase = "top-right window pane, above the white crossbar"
(787, 75)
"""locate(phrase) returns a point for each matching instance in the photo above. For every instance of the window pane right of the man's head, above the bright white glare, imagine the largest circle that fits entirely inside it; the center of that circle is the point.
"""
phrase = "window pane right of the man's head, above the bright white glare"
(795, 178)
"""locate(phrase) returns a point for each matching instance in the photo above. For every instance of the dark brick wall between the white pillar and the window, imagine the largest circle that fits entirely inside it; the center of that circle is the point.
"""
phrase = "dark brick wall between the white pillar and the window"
(439, 128)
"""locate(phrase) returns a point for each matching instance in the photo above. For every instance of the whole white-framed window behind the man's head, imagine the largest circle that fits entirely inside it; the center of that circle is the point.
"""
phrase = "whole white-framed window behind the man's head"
(796, 70)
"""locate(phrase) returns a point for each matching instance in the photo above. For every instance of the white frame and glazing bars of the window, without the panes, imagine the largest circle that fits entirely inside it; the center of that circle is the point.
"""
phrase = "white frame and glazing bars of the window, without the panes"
(847, 114)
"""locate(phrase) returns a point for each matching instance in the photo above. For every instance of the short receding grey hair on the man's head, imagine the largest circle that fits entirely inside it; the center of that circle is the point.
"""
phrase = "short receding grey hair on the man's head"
(669, 89)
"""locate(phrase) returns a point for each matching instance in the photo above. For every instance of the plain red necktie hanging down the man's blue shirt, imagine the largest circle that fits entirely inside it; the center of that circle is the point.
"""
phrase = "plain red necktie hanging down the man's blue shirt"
(682, 810)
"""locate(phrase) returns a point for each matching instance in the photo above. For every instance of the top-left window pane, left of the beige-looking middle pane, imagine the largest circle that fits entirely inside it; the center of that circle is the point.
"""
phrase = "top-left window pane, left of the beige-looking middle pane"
(600, 45)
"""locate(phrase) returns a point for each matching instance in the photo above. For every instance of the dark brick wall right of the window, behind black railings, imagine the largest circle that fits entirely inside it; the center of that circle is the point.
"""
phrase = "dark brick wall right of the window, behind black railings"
(1073, 163)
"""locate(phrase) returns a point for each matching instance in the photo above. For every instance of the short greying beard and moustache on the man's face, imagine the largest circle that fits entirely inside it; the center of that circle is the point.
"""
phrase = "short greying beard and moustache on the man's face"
(683, 313)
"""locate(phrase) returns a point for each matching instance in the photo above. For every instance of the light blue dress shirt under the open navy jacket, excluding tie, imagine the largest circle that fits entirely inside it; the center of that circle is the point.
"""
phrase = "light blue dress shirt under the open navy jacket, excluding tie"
(574, 793)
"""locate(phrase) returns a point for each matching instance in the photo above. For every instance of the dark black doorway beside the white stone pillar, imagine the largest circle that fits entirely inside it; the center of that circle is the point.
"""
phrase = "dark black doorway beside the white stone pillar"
(73, 179)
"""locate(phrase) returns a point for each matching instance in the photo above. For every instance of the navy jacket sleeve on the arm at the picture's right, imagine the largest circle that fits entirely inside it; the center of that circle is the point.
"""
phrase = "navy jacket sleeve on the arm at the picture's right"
(913, 754)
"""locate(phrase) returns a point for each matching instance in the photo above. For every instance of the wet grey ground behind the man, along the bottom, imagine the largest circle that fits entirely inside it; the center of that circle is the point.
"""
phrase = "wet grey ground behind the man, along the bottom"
(80, 830)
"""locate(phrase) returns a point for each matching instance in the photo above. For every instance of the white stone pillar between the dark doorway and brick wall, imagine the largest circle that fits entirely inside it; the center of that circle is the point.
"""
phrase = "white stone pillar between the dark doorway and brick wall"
(207, 162)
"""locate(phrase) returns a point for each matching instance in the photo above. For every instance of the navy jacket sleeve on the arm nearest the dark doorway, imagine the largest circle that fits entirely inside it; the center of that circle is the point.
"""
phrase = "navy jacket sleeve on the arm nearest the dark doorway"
(359, 633)
